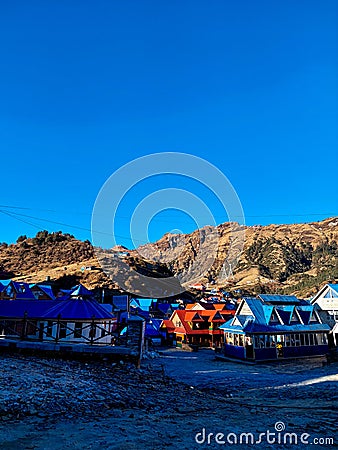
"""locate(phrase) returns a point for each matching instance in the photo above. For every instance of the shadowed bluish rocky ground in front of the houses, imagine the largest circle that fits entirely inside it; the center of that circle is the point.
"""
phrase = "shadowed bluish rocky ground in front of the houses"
(55, 404)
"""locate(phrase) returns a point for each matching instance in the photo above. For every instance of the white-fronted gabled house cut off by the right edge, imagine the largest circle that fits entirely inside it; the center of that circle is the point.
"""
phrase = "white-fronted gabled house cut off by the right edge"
(326, 303)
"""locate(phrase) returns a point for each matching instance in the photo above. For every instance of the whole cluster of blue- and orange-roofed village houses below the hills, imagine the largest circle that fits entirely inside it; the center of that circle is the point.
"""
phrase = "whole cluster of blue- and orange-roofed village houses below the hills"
(262, 328)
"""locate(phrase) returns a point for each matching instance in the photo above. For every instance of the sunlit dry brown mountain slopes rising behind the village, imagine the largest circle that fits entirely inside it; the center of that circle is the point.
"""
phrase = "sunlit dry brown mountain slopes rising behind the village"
(296, 258)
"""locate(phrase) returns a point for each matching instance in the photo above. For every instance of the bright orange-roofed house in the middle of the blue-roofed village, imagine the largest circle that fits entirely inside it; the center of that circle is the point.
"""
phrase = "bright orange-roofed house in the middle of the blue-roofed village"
(197, 326)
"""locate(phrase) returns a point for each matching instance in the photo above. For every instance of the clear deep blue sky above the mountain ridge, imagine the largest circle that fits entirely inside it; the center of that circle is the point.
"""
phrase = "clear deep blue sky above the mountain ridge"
(251, 86)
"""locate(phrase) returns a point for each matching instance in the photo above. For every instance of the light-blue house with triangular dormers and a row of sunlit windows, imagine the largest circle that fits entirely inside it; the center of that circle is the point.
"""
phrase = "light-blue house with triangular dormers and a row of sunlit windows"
(273, 327)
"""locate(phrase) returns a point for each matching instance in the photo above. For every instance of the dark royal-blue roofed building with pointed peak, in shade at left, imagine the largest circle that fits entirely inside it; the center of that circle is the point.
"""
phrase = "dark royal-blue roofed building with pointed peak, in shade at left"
(77, 319)
